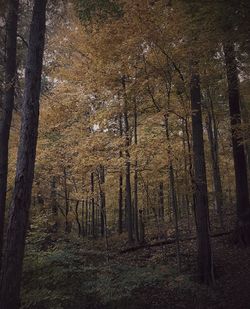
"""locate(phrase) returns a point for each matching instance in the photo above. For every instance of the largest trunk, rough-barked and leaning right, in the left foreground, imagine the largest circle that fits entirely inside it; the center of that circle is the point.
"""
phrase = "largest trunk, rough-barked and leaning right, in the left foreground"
(19, 211)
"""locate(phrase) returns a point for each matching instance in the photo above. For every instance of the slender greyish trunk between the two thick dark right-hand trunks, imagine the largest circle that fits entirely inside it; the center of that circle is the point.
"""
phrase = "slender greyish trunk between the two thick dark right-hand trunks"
(213, 141)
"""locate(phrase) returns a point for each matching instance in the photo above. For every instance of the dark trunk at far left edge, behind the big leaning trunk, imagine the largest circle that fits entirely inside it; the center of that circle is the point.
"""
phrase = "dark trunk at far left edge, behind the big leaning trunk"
(7, 107)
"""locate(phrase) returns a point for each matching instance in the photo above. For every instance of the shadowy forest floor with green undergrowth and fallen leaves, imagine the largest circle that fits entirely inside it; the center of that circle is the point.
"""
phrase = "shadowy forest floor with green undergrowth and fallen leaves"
(68, 272)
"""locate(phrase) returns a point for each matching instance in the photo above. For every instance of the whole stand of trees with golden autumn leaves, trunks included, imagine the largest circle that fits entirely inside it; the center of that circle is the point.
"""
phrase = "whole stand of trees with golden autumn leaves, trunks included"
(143, 124)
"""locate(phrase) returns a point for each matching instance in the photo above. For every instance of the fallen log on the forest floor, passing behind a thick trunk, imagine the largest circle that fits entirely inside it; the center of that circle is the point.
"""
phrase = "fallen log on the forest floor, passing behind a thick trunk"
(167, 242)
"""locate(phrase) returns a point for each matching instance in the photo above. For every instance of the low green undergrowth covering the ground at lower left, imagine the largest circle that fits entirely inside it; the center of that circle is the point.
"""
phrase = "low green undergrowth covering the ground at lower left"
(62, 274)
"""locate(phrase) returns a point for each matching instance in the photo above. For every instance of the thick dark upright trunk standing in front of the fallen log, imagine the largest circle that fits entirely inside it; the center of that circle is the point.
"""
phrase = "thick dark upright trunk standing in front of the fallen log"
(205, 263)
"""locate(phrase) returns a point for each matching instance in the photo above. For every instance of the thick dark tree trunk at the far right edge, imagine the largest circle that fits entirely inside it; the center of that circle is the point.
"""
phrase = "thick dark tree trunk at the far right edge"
(240, 166)
